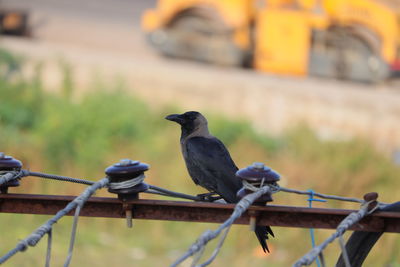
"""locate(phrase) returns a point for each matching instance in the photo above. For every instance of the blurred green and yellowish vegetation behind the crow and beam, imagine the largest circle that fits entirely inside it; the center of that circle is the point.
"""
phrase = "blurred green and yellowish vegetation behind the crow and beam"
(80, 137)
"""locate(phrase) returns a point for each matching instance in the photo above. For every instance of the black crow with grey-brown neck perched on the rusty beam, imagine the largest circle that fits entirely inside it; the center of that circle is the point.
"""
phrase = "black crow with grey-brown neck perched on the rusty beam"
(209, 163)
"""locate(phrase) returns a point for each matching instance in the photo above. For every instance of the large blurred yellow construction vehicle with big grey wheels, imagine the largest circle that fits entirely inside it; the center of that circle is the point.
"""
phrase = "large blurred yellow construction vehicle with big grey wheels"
(347, 39)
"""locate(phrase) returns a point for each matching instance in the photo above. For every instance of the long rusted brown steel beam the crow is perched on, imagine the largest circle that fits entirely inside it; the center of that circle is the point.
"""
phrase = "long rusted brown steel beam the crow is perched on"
(199, 212)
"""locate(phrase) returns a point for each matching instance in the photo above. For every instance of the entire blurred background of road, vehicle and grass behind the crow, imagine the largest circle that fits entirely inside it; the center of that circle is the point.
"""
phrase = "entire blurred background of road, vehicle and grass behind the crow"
(310, 88)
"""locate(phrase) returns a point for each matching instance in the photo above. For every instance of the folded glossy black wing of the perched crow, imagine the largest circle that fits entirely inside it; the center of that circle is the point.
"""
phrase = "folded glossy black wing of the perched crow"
(210, 164)
